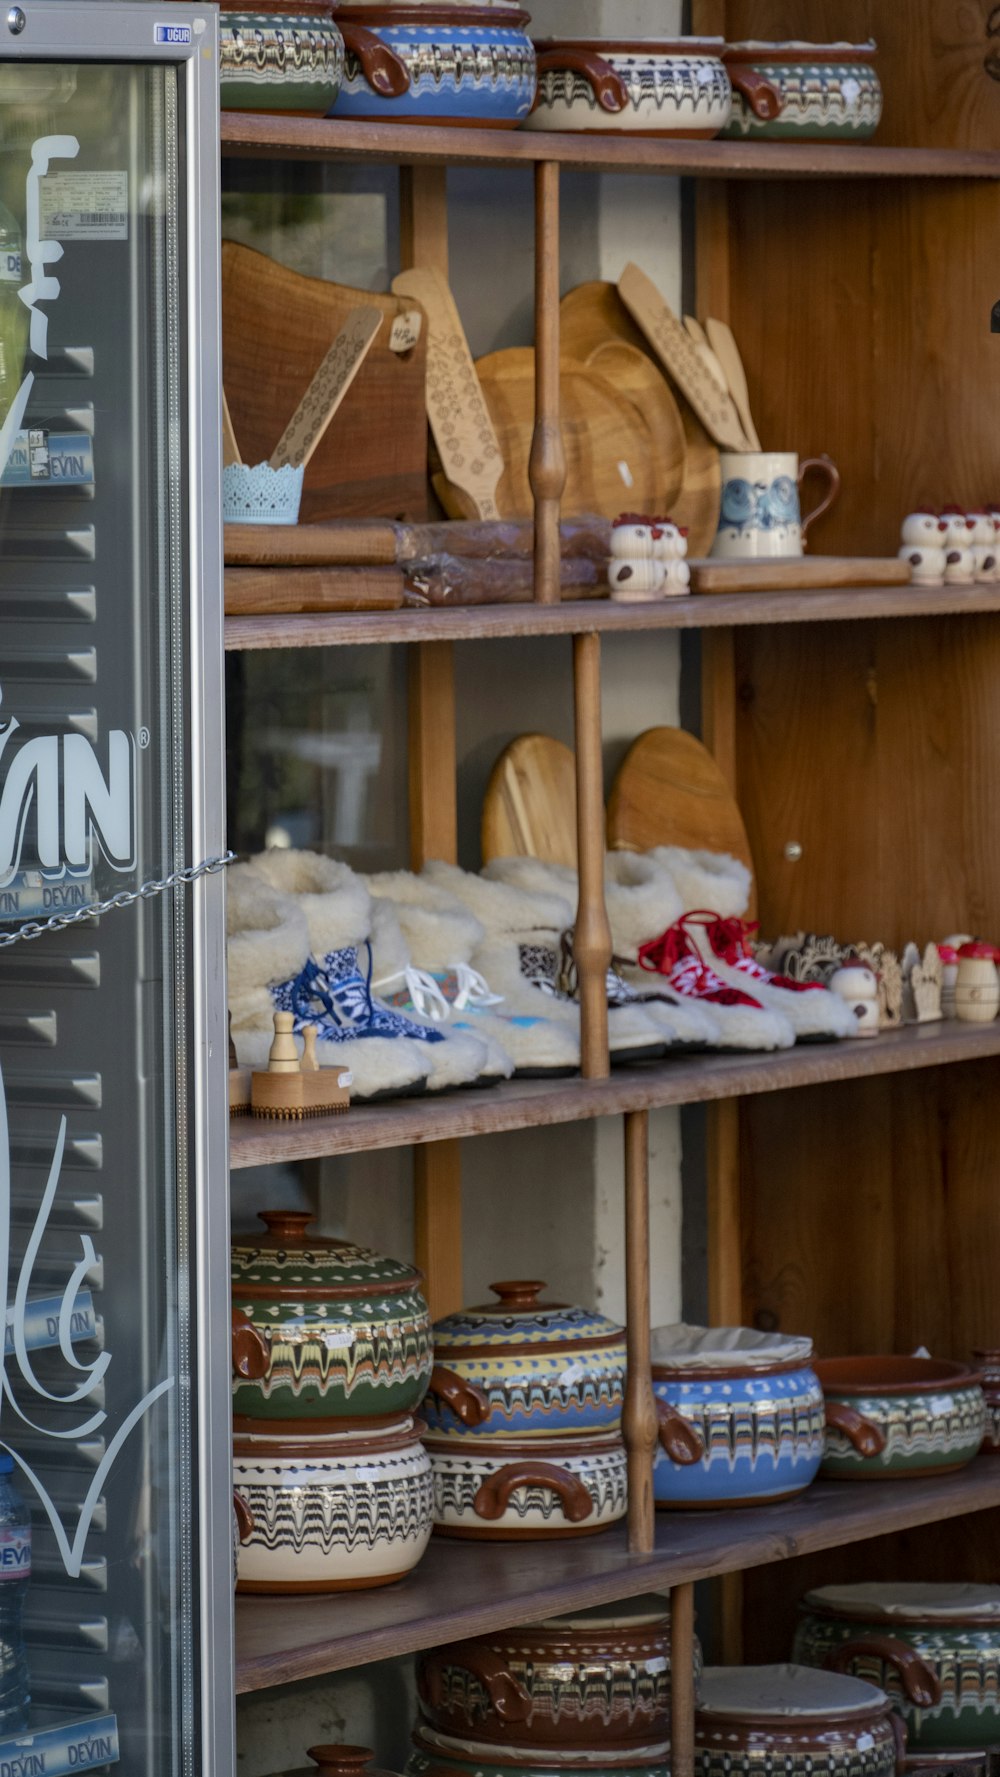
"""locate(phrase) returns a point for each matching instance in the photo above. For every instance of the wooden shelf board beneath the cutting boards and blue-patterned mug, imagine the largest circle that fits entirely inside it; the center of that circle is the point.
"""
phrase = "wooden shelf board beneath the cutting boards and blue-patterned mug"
(477, 623)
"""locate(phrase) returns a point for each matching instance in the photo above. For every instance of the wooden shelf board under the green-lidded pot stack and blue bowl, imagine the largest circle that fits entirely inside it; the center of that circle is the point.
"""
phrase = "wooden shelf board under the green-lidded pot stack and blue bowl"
(468, 1590)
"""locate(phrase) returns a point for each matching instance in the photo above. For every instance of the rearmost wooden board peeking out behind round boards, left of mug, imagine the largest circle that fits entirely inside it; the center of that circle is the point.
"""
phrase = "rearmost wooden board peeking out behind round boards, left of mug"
(594, 315)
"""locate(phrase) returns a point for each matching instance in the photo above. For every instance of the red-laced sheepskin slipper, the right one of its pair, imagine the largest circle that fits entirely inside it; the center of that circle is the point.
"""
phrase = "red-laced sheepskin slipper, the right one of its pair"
(715, 891)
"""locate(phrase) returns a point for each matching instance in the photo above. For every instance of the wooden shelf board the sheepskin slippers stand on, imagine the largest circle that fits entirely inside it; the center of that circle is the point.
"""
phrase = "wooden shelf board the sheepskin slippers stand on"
(530, 1104)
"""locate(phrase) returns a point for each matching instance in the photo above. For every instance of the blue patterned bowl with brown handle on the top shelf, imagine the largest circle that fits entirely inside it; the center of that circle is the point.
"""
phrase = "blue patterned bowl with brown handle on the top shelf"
(470, 65)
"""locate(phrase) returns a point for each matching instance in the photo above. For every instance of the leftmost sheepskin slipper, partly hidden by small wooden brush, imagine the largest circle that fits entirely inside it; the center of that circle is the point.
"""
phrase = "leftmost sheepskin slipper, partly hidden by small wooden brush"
(269, 952)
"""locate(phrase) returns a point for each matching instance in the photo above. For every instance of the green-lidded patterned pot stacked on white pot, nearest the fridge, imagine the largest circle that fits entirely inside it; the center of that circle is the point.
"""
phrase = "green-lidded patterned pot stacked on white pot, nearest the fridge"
(328, 1453)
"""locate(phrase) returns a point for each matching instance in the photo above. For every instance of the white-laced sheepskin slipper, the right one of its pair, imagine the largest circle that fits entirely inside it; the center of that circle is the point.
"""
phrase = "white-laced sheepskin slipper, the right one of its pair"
(441, 937)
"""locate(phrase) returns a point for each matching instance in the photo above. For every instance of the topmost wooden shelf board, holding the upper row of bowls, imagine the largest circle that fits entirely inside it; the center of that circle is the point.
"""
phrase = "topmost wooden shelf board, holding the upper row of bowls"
(250, 134)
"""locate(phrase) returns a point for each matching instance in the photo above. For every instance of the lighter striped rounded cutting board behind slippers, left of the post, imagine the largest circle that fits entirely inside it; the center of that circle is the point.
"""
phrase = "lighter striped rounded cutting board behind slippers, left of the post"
(530, 804)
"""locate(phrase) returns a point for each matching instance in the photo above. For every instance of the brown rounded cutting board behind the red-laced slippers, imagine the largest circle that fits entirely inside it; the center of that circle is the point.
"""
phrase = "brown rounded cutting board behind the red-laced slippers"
(671, 792)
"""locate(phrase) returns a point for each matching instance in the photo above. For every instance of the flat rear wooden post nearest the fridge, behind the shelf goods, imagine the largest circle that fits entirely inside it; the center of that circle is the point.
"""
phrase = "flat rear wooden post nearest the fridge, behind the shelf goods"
(434, 827)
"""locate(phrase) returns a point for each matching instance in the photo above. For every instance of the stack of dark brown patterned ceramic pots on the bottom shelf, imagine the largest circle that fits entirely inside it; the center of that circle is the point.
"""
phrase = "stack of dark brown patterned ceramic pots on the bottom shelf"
(587, 1693)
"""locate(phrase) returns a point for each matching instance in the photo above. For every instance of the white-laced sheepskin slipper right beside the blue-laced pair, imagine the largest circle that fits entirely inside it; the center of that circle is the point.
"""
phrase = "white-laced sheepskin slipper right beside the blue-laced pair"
(461, 1056)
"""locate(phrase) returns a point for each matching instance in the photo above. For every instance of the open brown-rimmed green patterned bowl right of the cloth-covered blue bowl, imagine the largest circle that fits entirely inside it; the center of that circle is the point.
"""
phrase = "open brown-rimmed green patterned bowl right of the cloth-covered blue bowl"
(894, 1417)
